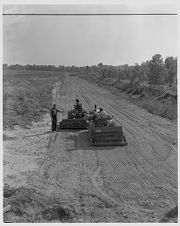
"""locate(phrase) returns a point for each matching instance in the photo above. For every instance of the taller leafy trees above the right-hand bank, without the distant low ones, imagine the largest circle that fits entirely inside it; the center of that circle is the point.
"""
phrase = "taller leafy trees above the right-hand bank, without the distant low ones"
(154, 72)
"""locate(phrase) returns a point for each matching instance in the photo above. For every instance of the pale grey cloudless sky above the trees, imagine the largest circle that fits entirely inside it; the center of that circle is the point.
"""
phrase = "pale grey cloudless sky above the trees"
(87, 40)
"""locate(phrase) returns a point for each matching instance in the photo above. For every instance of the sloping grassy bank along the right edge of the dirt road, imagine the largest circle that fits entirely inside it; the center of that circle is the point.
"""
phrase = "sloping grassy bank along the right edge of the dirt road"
(161, 101)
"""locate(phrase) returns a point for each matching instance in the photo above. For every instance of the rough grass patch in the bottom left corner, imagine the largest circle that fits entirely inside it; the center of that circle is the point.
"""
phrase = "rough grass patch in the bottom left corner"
(29, 206)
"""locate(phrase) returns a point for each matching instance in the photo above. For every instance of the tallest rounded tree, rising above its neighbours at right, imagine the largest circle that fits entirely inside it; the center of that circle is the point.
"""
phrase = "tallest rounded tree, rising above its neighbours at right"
(155, 67)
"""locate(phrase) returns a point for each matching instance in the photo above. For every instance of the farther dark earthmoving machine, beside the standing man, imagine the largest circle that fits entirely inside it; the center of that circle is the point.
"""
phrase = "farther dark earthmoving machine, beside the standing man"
(76, 120)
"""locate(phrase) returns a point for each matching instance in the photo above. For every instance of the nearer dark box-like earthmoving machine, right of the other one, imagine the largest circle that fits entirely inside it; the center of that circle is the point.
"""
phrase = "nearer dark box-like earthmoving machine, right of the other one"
(105, 133)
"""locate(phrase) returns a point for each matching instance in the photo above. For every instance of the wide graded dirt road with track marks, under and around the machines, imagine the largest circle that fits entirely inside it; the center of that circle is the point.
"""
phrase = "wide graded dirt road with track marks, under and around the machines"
(135, 183)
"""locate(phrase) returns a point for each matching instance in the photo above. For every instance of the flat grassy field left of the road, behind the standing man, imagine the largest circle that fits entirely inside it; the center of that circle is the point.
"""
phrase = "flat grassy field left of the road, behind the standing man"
(27, 95)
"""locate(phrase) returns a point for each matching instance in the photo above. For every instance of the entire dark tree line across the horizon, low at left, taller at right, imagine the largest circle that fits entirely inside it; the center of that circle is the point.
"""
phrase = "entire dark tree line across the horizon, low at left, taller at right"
(155, 71)
